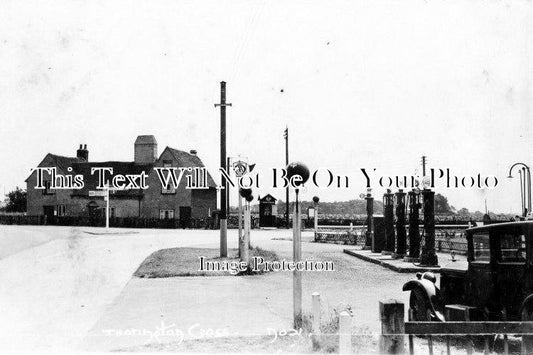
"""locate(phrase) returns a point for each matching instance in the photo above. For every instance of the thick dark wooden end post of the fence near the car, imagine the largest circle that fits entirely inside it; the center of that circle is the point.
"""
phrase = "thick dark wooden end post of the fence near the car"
(391, 340)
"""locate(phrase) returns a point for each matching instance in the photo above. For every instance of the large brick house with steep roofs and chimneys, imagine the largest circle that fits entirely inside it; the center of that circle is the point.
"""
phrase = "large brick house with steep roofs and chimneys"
(156, 201)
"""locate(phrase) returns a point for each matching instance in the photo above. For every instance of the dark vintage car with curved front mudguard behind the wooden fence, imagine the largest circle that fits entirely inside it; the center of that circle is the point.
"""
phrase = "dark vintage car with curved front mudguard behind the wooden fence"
(496, 282)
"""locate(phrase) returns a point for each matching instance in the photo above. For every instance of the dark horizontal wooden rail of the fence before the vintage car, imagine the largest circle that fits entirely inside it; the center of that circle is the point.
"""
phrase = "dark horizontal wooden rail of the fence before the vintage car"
(472, 328)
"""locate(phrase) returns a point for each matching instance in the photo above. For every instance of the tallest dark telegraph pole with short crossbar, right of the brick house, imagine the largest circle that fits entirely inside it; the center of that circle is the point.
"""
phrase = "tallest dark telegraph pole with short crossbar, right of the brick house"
(224, 183)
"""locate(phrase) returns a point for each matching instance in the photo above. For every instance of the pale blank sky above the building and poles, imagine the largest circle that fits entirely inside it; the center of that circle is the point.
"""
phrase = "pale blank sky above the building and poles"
(359, 84)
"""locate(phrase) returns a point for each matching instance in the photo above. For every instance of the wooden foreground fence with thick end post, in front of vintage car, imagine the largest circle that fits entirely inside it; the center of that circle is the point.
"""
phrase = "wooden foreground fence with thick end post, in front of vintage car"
(394, 329)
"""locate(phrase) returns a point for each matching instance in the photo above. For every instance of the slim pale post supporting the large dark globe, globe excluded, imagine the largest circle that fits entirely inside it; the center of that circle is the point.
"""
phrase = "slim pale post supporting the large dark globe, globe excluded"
(297, 275)
